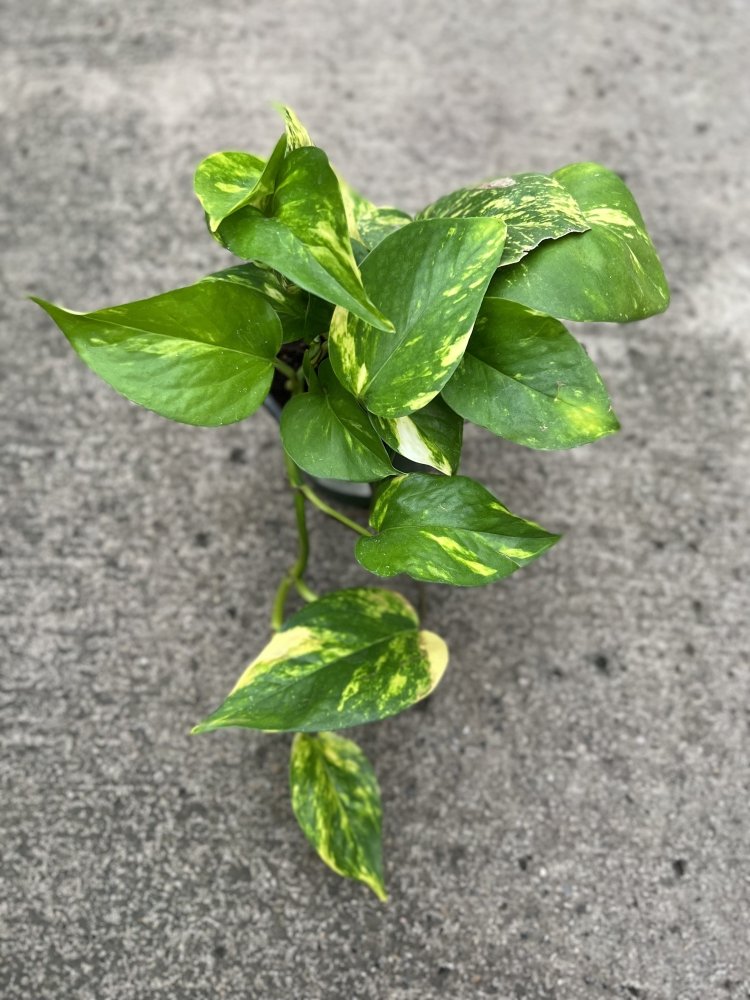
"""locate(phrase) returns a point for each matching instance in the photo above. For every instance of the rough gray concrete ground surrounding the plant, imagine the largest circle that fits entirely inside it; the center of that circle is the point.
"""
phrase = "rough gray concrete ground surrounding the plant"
(570, 816)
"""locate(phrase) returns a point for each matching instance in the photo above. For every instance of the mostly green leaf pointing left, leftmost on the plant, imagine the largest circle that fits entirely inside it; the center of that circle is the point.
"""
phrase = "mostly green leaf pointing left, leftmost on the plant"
(201, 355)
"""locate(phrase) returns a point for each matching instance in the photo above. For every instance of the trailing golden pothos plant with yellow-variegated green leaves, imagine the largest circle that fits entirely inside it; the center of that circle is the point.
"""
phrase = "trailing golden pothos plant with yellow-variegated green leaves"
(378, 335)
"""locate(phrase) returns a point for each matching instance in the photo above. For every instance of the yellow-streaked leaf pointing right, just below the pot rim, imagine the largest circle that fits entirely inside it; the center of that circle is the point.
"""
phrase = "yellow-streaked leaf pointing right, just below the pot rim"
(447, 530)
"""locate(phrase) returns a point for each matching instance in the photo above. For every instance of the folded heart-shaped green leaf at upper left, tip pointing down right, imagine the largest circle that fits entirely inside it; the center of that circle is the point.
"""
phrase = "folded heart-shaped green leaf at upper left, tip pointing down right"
(303, 234)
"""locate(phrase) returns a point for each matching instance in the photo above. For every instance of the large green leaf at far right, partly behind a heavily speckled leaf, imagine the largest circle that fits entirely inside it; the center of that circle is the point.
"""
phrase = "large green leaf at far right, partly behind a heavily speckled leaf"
(609, 274)
